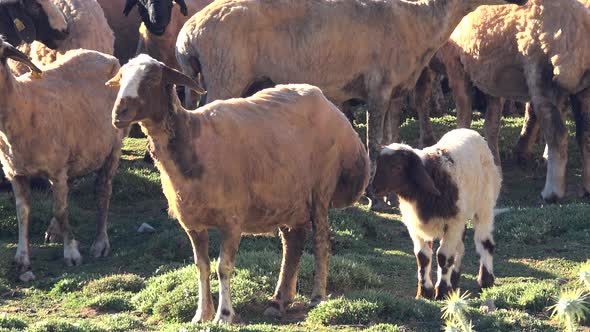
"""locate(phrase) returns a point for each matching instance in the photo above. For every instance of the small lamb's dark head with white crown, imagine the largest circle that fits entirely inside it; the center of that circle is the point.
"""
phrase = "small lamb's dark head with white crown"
(400, 170)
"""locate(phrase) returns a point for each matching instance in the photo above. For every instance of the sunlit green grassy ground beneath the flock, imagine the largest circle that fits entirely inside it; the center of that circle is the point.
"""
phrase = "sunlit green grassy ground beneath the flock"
(149, 281)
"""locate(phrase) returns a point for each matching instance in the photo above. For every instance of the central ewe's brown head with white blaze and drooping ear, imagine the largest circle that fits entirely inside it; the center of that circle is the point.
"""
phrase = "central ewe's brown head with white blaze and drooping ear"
(145, 90)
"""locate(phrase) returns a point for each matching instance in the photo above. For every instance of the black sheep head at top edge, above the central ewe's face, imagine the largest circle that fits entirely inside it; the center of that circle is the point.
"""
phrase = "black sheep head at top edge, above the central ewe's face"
(155, 14)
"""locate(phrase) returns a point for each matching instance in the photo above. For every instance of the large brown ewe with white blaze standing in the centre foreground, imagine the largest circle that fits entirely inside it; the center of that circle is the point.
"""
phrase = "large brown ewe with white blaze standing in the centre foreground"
(296, 155)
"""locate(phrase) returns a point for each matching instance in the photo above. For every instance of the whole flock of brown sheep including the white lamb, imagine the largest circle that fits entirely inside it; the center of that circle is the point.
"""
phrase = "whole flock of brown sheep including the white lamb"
(268, 149)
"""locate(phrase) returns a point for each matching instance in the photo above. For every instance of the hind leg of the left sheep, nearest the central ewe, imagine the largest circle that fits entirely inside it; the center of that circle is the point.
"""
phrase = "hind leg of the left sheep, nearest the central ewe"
(104, 188)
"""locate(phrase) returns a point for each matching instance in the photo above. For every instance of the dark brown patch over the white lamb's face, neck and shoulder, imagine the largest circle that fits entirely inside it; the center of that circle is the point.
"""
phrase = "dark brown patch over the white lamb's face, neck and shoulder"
(398, 173)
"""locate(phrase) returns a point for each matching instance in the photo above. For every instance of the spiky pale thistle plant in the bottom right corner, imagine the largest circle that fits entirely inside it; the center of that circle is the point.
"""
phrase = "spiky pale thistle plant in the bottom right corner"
(571, 308)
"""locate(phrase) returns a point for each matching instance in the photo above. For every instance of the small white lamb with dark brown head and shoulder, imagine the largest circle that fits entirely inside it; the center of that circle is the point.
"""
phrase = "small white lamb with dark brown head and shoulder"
(439, 189)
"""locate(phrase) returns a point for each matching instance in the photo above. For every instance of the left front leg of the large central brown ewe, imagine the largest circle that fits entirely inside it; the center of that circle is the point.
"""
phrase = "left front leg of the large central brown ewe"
(200, 243)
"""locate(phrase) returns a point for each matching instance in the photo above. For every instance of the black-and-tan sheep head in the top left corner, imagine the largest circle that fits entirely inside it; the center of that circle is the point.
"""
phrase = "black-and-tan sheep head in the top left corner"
(24, 21)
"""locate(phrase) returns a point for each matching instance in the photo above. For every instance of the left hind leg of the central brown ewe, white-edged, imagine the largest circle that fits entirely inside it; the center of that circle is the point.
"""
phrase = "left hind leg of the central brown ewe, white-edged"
(293, 242)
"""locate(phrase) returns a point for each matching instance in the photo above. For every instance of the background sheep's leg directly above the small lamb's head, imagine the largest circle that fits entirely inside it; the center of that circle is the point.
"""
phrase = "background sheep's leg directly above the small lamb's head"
(421, 94)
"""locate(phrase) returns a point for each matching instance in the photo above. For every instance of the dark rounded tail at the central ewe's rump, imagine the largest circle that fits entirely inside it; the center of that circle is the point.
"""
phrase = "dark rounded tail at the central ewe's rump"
(353, 180)
